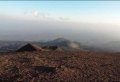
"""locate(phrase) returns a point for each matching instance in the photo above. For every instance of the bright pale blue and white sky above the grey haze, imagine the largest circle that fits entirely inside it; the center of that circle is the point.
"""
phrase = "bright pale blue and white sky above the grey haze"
(79, 11)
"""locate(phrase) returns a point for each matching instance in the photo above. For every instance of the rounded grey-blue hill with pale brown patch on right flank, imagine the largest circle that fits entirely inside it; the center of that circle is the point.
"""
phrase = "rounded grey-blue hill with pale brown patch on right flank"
(62, 43)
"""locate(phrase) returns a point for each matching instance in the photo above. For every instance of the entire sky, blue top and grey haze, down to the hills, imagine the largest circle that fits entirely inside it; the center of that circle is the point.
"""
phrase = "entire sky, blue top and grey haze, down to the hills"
(84, 21)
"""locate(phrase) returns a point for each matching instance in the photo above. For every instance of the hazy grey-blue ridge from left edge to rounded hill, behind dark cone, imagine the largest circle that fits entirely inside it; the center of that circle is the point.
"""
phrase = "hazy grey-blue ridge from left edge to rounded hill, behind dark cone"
(7, 46)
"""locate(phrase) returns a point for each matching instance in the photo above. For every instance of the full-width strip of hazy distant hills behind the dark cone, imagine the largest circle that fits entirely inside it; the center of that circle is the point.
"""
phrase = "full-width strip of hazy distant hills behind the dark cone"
(65, 44)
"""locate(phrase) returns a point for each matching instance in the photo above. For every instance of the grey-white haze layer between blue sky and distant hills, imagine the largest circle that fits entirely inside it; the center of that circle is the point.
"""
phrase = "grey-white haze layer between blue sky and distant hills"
(35, 30)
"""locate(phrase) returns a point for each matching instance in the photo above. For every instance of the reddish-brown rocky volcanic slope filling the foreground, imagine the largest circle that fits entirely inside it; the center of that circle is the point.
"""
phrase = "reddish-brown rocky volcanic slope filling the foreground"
(59, 66)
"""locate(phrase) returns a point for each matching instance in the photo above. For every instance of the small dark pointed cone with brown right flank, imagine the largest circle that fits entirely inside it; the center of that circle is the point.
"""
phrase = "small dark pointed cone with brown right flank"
(29, 47)
